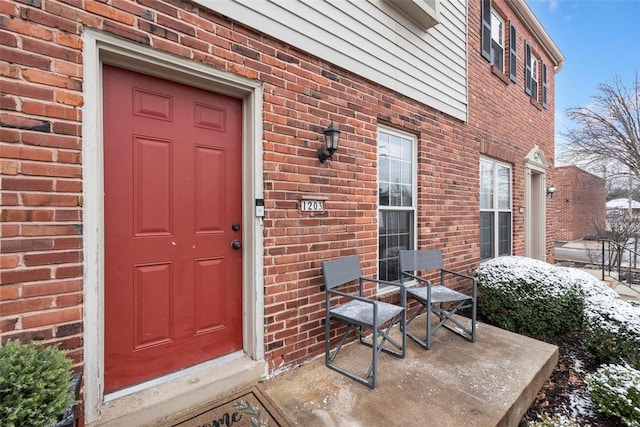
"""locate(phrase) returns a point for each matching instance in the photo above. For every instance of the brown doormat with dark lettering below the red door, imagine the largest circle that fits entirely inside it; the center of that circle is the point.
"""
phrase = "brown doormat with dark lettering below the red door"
(249, 407)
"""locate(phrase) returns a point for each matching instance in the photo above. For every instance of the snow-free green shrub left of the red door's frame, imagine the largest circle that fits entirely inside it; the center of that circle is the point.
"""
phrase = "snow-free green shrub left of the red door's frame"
(34, 384)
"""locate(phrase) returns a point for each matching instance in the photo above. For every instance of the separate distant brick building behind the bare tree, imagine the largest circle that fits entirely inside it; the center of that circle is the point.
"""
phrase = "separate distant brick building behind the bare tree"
(580, 203)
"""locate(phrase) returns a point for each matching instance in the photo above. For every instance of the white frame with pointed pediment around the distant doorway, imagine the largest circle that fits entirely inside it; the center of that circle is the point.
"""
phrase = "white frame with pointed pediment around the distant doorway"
(535, 204)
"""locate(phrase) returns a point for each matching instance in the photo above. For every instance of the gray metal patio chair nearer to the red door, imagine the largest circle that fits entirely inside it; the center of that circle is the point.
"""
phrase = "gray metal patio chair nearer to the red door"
(360, 314)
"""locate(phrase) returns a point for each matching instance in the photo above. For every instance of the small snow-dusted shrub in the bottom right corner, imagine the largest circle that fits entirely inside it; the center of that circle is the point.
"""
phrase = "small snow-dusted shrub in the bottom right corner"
(615, 389)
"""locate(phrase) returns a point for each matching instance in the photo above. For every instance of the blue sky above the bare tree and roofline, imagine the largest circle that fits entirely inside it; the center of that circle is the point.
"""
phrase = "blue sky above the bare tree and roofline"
(600, 40)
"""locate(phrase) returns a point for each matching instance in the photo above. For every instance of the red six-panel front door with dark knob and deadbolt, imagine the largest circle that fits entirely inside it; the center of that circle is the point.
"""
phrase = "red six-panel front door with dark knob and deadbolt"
(173, 185)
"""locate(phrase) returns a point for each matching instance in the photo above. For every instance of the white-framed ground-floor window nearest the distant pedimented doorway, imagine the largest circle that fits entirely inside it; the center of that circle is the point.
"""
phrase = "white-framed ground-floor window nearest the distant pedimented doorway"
(495, 209)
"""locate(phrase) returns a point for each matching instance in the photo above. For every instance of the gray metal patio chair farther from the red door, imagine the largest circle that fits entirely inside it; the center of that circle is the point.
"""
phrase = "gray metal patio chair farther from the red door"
(439, 299)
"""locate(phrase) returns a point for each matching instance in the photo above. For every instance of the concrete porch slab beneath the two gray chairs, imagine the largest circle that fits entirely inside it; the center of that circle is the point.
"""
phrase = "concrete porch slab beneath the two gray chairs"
(491, 382)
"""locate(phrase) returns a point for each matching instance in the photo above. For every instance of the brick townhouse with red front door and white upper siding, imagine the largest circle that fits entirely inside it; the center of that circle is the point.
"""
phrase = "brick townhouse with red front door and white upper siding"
(139, 138)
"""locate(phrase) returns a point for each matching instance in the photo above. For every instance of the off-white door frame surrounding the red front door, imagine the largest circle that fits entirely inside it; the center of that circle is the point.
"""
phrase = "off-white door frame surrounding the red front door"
(99, 48)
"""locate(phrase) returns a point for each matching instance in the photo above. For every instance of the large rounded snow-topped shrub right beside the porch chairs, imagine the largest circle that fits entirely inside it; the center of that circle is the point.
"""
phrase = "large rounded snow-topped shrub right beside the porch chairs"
(529, 297)
